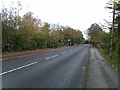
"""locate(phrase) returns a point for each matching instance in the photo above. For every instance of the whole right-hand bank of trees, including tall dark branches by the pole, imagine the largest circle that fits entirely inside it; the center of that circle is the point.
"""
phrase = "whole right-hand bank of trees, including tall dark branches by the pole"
(102, 40)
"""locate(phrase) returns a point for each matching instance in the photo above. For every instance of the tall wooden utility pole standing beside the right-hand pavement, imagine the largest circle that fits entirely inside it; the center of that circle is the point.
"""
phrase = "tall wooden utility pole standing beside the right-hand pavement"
(112, 33)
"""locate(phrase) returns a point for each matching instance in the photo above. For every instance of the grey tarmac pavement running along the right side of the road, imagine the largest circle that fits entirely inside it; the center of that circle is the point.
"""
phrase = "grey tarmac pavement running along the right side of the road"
(100, 73)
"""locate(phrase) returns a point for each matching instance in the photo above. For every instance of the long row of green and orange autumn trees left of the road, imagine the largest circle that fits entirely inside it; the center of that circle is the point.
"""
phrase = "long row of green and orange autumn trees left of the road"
(29, 33)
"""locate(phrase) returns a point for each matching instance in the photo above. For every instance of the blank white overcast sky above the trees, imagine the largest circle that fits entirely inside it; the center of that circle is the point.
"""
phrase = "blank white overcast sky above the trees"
(78, 14)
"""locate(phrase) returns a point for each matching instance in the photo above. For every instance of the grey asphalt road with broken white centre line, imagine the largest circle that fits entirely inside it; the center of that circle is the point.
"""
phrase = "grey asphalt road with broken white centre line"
(63, 68)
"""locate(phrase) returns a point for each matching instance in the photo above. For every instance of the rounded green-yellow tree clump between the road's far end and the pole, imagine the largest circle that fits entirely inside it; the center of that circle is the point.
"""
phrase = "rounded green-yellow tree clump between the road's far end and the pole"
(99, 38)
